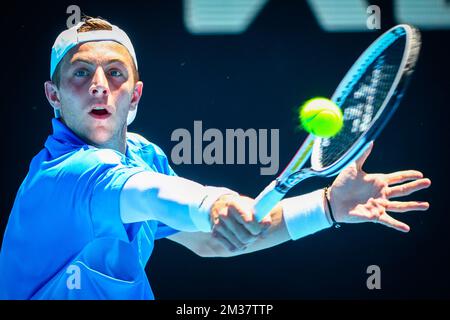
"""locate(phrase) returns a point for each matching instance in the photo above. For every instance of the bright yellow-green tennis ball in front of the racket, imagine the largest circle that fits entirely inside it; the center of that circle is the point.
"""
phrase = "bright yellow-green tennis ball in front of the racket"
(321, 117)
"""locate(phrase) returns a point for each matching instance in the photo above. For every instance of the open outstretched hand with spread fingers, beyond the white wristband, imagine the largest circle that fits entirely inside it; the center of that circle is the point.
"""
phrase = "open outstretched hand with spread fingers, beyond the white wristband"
(356, 196)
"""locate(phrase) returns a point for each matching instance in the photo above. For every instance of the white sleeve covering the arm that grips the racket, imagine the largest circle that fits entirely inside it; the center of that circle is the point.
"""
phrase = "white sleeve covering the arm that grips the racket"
(177, 202)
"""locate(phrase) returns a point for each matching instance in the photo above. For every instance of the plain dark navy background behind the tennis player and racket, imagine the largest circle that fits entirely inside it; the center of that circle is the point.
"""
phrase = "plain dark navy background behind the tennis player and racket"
(252, 80)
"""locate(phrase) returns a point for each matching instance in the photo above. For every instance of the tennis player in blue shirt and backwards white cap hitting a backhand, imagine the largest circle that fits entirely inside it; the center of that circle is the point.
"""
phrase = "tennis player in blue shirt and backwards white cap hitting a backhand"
(96, 197)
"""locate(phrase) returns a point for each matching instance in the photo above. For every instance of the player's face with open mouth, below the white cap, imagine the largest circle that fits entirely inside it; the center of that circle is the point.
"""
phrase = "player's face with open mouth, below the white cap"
(97, 89)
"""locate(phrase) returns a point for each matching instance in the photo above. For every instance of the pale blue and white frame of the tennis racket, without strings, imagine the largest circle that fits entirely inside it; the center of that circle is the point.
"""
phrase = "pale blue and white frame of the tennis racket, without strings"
(293, 173)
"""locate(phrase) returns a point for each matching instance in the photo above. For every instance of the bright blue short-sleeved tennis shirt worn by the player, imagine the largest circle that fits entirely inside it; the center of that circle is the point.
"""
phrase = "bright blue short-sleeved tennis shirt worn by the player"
(65, 238)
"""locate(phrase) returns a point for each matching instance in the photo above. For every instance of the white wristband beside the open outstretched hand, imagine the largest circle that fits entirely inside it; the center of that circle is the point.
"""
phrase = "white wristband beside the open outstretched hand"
(305, 214)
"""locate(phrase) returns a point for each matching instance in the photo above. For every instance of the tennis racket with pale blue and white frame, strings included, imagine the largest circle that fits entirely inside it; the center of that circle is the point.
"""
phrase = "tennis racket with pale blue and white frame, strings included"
(368, 96)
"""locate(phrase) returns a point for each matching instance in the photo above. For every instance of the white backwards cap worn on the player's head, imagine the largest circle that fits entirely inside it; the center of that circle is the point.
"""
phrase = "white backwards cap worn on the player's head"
(70, 38)
